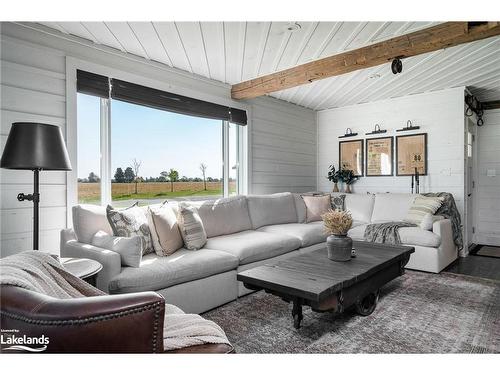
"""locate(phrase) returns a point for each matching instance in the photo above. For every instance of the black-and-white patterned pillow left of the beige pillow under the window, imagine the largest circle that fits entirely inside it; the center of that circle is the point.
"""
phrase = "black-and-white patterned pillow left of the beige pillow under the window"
(130, 222)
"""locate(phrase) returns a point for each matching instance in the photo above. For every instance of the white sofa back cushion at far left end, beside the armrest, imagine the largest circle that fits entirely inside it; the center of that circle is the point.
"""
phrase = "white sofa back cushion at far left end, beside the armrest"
(88, 219)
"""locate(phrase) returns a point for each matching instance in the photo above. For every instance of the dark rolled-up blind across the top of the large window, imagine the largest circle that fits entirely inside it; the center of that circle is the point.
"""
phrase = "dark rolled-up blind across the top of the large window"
(105, 87)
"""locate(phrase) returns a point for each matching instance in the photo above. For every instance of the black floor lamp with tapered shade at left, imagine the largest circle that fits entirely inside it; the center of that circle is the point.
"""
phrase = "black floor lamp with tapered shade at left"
(36, 147)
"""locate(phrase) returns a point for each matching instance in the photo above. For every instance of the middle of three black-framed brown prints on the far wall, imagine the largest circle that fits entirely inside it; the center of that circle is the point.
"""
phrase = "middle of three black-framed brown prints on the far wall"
(379, 156)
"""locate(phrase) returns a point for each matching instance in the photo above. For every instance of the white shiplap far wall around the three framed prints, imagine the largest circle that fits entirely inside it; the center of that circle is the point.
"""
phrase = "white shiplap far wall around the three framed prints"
(439, 114)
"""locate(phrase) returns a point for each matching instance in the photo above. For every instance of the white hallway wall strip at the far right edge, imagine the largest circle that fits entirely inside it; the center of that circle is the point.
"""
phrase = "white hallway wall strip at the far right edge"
(488, 188)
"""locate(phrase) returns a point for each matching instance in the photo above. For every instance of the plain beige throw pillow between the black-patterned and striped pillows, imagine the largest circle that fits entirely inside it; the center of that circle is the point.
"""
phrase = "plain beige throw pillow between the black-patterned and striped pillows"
(165, 232)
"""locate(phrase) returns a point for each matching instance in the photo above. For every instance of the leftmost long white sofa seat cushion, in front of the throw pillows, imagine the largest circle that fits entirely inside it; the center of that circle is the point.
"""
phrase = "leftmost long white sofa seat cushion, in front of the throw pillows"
(159, 272)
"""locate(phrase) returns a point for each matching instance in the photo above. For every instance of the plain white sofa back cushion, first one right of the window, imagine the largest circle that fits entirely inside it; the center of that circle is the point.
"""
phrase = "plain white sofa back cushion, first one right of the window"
(271, 209)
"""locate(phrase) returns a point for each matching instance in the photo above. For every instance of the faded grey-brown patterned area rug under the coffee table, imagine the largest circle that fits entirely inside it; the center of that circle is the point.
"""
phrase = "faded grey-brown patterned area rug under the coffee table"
(416, 313)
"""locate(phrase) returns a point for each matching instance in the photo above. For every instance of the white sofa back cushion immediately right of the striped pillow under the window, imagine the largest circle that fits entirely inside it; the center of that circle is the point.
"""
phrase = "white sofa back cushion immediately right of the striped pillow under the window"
(225, 216)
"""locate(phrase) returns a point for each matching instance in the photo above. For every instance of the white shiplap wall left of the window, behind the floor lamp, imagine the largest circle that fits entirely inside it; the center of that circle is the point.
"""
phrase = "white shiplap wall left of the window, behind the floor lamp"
(32, 89)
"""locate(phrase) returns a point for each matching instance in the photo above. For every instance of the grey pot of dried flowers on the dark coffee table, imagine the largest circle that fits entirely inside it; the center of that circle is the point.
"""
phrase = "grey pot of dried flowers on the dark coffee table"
(338, 244)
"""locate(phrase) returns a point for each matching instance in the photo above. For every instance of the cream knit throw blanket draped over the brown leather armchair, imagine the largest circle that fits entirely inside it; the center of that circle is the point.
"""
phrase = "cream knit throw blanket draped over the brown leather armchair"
(40, 272)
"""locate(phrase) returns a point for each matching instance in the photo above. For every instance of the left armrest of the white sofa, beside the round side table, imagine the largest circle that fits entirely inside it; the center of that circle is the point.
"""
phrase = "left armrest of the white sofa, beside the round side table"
(110, 260)
